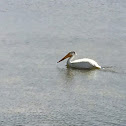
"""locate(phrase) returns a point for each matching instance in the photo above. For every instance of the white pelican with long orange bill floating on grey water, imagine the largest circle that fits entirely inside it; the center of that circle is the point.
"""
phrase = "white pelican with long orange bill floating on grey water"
(80, 63)
